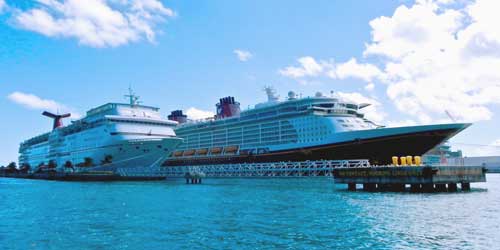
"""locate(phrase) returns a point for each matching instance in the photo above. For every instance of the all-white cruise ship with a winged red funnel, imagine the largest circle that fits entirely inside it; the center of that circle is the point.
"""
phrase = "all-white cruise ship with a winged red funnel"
(109, 137)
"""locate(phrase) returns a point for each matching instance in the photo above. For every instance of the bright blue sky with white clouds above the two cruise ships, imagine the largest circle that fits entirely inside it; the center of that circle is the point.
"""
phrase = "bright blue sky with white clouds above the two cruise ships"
(182, 55)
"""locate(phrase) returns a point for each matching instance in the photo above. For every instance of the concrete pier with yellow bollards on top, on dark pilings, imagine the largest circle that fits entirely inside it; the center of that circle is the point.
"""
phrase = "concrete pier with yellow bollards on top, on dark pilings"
(420, 179)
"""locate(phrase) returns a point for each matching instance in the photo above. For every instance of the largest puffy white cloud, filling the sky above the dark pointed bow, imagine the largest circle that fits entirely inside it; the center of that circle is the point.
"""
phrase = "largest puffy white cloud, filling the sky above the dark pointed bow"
(435, 57)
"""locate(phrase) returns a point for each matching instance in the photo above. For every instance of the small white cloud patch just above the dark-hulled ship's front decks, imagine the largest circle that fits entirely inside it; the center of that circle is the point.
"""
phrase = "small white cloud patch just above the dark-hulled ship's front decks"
(371, 112)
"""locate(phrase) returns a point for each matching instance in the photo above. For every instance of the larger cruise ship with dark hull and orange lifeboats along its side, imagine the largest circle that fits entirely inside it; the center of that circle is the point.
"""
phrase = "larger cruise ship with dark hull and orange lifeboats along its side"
(298, 129)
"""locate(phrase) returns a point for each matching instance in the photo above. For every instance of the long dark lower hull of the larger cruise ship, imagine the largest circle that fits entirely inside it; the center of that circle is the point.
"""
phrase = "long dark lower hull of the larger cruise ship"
(379, 150)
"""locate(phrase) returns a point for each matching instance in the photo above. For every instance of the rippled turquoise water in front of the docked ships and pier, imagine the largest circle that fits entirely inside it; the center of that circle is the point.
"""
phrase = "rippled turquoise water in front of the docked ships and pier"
(309, 213)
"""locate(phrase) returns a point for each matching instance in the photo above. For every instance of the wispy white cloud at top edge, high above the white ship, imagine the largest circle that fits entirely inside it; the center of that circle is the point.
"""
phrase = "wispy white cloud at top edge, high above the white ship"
(95, 23)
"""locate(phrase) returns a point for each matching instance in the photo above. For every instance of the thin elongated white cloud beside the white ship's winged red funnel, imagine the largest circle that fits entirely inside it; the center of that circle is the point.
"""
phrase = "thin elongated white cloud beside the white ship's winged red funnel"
(34, 102)
